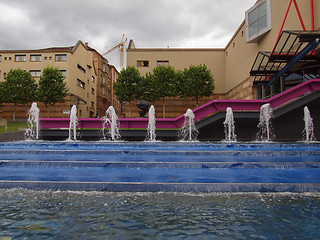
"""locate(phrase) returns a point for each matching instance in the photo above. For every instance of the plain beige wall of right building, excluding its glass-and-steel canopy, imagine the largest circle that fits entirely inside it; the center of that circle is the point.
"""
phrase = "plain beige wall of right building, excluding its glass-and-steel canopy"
(230, 66)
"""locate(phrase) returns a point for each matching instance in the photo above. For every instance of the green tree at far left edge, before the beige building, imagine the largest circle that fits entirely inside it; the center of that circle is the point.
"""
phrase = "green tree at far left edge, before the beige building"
(19, 87)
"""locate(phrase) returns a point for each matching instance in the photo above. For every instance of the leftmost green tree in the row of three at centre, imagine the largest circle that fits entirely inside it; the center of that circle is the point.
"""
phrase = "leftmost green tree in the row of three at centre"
(128, 86)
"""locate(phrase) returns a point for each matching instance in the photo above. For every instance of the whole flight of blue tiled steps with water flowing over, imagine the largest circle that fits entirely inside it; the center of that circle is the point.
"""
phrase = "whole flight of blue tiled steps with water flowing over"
(160, 166)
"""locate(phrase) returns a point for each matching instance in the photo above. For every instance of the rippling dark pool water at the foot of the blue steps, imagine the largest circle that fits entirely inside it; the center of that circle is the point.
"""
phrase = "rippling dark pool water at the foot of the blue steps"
(28, 214)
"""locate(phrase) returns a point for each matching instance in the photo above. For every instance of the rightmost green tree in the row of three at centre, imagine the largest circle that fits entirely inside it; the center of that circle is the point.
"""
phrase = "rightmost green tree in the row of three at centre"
(196, 82)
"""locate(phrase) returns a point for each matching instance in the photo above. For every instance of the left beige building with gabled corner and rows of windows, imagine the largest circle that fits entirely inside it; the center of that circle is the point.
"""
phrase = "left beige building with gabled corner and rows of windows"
(89, 78)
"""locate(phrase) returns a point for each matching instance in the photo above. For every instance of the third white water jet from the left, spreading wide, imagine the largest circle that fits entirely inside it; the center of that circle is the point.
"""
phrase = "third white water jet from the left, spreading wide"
(111, 121)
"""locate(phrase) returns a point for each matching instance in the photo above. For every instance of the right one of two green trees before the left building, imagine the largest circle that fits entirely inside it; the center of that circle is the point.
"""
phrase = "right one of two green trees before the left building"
(52, 87)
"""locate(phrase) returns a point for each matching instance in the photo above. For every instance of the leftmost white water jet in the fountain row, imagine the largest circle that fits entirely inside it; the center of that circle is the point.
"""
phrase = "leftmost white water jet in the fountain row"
(32, 132)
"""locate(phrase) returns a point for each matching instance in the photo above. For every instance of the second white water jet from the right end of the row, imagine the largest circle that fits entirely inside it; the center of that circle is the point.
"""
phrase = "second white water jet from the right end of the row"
(265, 129)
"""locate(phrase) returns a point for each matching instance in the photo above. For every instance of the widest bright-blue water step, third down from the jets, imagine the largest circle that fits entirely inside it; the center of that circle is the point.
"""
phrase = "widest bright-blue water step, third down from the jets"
(162, 175)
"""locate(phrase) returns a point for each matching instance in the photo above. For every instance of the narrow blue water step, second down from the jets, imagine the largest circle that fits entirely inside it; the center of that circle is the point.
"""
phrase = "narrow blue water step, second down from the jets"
(161, 156)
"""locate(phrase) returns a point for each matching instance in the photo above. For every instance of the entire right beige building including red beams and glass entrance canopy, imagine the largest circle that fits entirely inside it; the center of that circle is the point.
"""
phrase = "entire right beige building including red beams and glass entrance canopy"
(278, 30)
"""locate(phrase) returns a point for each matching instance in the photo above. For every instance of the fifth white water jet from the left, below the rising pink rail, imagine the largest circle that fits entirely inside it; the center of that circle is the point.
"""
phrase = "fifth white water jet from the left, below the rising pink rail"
(189, 130)
